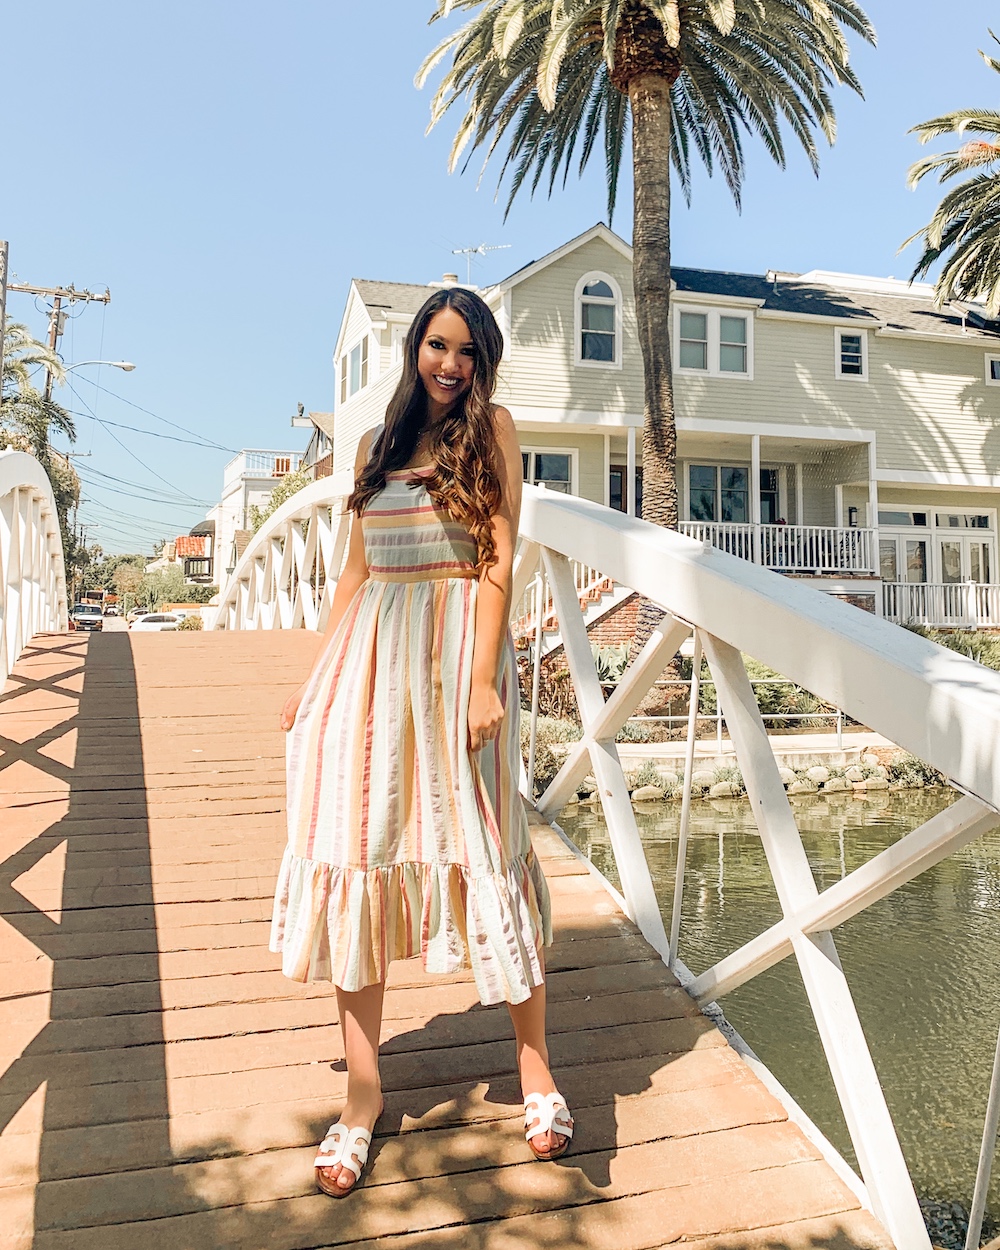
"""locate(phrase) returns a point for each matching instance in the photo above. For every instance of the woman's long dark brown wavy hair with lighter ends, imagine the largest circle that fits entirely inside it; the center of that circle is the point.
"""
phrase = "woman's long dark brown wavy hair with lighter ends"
(466, 482)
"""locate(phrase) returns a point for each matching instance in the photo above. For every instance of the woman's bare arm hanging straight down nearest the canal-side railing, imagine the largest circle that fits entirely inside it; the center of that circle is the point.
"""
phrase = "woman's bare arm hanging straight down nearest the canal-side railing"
(493, 607)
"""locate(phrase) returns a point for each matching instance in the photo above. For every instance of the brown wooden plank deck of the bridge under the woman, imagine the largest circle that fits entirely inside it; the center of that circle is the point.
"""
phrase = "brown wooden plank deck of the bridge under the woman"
(164, 1087)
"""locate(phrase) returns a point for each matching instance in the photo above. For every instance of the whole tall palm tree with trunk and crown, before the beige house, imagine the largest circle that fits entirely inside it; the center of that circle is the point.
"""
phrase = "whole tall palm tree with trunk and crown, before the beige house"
(691, 77)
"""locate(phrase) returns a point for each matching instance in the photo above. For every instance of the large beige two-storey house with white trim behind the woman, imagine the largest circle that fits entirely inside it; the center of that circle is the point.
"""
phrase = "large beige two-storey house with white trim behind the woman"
(833, 427)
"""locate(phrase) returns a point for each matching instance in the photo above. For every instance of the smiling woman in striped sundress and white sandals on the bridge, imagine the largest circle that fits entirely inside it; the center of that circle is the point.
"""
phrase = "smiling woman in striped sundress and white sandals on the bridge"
(407, 834)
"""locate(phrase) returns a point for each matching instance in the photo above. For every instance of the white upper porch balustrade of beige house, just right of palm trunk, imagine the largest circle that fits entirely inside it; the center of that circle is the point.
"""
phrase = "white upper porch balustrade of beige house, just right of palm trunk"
(817, 549)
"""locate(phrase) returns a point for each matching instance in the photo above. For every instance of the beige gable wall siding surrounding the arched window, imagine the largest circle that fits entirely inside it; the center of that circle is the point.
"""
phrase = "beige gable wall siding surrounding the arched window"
(541, 372)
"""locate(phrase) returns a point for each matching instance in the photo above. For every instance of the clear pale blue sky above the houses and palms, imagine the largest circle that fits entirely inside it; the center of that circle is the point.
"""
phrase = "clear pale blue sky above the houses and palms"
(228, 168)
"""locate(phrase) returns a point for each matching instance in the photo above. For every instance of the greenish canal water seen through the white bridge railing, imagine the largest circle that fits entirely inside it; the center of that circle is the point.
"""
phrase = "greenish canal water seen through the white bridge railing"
(923, 966)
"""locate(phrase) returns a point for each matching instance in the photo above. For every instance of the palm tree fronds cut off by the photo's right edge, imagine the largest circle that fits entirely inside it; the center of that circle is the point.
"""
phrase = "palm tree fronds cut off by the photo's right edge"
(966, 228)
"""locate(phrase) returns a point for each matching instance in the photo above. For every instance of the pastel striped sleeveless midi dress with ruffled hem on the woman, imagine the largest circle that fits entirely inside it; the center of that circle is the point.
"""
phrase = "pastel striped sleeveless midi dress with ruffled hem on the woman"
(403, 842)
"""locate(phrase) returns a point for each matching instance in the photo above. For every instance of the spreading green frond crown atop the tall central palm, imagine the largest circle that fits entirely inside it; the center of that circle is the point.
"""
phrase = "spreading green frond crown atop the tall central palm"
(536, 76)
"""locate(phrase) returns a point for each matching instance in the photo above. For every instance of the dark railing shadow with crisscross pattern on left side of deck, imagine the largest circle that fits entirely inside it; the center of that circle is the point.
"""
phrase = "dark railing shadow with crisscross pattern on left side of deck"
(97, 1036)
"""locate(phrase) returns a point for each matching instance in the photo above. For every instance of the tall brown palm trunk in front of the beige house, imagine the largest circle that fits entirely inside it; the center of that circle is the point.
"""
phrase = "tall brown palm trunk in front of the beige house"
(649, 98)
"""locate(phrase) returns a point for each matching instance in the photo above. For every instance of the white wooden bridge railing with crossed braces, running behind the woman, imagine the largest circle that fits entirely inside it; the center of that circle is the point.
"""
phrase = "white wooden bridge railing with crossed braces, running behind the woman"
(934, 703)
